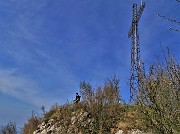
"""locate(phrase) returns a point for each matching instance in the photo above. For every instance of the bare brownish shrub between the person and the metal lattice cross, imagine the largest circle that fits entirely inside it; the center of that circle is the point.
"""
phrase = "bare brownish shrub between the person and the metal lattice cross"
(103, 104)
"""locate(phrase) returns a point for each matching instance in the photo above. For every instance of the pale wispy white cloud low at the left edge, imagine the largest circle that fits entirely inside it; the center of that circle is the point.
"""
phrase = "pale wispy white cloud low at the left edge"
(13, 84)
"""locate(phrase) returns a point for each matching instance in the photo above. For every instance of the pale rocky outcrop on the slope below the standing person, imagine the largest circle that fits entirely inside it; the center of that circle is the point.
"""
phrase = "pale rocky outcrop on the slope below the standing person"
(78, 123)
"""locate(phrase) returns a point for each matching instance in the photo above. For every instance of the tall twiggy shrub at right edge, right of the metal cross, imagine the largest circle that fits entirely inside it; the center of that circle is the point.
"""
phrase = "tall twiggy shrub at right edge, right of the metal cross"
(158, 97)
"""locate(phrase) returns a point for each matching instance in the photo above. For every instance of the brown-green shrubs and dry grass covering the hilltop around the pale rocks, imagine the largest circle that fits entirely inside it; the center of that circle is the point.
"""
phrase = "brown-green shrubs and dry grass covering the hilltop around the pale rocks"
(156, 108)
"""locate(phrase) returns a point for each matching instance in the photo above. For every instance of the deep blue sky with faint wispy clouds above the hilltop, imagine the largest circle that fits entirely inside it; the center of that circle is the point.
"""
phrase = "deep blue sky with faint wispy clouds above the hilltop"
(48, 46)
